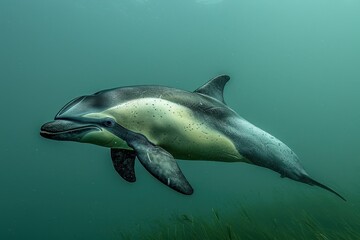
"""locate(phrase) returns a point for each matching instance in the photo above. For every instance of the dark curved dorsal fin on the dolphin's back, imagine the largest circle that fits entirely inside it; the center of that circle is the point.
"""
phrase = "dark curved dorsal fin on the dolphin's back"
(214, 88)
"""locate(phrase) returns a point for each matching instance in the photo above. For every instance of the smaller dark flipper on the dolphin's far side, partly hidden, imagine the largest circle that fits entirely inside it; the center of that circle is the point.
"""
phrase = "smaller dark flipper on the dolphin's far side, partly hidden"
(124, 161)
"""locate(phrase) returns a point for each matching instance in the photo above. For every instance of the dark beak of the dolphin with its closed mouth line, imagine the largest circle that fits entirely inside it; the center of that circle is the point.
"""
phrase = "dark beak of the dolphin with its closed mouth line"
(66, 130)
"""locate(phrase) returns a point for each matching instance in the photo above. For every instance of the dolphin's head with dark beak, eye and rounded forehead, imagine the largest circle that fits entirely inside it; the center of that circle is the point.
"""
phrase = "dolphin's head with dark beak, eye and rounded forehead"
(84, 119)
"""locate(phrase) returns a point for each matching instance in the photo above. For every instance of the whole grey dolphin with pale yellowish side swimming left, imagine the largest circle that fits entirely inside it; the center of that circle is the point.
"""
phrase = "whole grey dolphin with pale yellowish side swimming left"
(158, 124)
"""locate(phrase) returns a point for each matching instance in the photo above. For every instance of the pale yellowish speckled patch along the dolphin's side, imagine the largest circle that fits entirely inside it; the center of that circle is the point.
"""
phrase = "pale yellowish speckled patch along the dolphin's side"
(175, 128)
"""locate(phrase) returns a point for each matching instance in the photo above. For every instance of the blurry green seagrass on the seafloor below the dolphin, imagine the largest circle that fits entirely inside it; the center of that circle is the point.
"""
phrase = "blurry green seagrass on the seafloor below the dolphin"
(317, 219)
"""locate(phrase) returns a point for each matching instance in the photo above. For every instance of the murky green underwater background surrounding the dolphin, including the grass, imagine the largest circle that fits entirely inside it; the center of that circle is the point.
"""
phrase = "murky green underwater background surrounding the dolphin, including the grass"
(295, 72)
